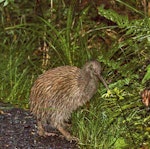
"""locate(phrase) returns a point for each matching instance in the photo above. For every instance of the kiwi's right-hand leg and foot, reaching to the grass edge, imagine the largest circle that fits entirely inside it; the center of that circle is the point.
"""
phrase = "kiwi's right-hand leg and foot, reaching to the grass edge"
(66, 134)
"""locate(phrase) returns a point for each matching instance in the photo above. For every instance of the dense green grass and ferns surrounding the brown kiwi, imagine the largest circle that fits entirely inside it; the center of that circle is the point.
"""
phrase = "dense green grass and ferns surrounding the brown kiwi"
(38, 35)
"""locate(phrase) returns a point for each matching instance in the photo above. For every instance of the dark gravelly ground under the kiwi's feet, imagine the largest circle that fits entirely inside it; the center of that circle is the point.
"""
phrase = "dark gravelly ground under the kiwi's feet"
(18, 131)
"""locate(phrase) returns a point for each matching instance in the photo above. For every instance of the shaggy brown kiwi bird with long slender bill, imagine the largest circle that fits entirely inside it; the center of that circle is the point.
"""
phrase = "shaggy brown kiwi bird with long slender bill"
(60, 91)
